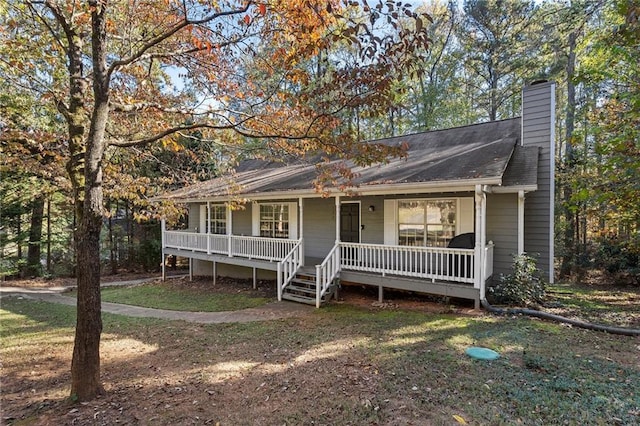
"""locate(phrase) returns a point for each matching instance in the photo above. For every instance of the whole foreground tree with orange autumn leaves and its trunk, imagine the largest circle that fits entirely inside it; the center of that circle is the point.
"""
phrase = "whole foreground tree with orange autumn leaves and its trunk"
(138, 74)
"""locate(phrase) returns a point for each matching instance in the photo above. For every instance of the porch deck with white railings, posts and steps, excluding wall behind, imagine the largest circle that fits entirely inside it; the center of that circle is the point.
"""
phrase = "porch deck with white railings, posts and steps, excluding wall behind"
(454, 272)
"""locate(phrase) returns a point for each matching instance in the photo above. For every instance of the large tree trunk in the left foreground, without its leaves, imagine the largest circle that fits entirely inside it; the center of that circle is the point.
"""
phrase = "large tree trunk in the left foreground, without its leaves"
(85, 365)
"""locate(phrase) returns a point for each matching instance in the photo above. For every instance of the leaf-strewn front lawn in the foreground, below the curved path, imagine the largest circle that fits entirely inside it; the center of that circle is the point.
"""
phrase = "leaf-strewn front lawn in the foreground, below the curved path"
(363, 366)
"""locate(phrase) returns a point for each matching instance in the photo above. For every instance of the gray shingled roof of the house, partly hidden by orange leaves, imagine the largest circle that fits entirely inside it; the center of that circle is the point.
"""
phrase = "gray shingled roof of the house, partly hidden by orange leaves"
(487, 152)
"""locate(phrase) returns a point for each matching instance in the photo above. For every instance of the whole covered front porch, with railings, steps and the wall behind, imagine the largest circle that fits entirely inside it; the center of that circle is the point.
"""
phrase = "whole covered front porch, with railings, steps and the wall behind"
(309, 262)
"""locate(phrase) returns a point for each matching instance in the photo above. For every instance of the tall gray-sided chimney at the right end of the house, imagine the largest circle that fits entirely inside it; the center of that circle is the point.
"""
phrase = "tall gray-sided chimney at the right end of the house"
(538, 121)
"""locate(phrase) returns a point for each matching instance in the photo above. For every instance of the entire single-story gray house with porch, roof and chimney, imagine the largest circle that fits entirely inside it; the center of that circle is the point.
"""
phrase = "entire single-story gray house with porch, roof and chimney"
(444, 220)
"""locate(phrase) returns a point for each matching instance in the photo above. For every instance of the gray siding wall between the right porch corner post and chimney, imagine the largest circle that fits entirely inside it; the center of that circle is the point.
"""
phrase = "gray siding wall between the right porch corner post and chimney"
(502, 229)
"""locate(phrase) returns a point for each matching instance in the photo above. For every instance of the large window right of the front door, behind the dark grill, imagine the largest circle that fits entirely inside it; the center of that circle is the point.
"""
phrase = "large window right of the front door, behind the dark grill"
(429, 223)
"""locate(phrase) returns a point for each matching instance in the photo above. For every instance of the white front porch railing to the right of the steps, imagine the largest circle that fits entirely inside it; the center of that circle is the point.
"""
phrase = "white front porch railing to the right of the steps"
(433, 263)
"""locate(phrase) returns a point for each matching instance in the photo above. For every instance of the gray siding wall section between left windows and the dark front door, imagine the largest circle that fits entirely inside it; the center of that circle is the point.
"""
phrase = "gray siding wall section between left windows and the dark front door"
(319, 230)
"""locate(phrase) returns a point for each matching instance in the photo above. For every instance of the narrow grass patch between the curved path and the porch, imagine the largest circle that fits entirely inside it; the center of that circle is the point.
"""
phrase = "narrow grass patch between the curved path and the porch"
(162, 296)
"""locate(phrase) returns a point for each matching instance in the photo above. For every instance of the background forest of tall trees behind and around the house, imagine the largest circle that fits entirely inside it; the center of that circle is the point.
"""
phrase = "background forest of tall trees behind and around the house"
(481, 54)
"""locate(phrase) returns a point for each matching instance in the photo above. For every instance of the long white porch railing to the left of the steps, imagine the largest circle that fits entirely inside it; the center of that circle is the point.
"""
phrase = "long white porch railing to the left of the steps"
(272, 249)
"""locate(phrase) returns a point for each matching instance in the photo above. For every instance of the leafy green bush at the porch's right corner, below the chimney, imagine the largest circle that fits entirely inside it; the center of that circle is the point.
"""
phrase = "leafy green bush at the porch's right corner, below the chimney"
(523, 286)
